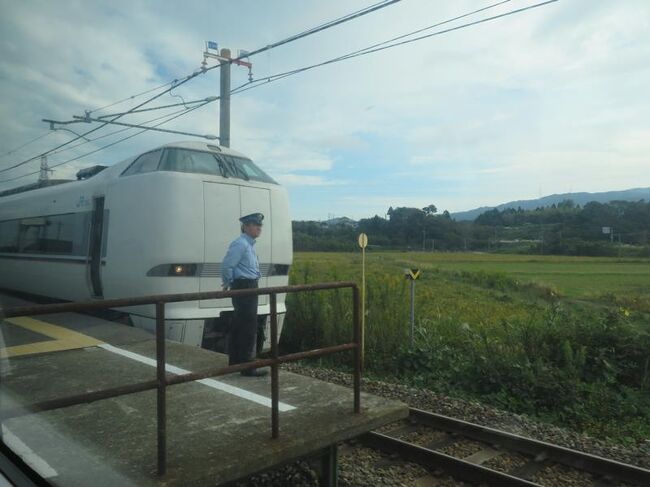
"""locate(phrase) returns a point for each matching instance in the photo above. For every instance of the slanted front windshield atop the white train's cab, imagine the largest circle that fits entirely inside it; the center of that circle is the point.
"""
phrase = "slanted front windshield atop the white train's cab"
(186, 160)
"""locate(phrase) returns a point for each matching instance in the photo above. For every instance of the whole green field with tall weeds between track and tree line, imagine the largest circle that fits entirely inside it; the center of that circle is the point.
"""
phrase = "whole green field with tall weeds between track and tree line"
(566, 339)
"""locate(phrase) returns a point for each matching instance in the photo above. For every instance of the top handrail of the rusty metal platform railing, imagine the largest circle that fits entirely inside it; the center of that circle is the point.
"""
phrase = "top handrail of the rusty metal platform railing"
(75, 306)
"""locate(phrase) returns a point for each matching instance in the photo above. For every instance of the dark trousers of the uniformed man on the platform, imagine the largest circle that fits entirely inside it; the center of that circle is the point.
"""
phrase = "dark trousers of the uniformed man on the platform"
(244, 324)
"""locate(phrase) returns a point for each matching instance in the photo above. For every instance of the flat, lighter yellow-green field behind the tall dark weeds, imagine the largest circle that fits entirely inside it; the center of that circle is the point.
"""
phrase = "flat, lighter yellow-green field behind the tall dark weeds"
(458, 281)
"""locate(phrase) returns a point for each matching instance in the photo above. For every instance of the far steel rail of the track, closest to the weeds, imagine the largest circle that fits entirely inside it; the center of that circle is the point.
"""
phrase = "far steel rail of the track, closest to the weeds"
(573, 458)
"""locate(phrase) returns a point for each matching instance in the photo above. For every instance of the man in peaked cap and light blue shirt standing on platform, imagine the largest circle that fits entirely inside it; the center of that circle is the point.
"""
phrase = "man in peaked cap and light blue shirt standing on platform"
(241, 270)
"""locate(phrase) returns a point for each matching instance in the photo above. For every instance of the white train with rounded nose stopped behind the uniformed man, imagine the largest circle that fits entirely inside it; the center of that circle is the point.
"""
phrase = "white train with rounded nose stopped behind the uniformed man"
(157, 223)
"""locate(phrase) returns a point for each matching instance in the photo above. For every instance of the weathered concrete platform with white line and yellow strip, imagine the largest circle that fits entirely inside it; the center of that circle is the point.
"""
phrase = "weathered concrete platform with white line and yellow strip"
(217, 430)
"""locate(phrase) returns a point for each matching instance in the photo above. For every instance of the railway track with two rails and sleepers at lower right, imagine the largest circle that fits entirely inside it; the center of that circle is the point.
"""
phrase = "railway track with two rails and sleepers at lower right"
(473, 453)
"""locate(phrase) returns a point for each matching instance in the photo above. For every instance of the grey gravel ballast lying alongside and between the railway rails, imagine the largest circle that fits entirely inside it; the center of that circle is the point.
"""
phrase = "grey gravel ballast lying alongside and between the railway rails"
(361, 466)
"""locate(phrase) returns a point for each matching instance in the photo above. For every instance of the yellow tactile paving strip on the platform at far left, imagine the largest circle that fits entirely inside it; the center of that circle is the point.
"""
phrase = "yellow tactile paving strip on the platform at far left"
(63, 339)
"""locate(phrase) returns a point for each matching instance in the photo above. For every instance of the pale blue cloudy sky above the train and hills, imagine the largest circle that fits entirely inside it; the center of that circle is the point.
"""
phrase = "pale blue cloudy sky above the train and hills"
(550, 100)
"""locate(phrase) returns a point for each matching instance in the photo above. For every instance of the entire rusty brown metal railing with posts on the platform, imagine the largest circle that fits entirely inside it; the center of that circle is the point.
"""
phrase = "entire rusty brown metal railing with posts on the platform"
(162, 381)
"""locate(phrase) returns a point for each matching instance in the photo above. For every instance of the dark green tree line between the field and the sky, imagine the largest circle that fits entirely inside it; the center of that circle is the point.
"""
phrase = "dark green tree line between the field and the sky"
(615, 228)
